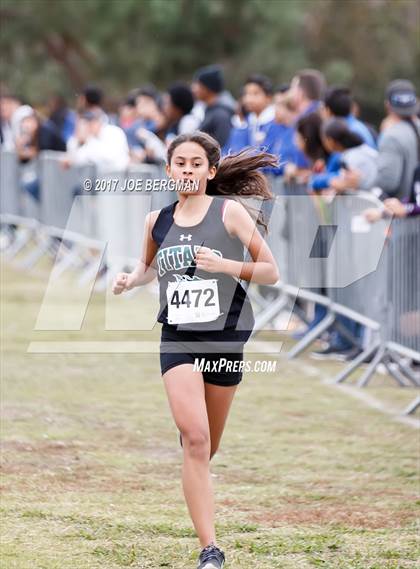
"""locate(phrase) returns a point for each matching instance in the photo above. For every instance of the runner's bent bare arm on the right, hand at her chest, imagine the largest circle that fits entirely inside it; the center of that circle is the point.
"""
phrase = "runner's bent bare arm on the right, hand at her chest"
(263, 268)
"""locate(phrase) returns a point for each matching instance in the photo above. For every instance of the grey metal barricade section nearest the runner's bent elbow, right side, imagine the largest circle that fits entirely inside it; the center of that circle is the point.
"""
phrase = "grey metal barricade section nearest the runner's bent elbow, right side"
(302, 231)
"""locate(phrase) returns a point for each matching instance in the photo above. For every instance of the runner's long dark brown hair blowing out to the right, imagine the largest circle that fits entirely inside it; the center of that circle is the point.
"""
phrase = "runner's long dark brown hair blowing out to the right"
(236, 174)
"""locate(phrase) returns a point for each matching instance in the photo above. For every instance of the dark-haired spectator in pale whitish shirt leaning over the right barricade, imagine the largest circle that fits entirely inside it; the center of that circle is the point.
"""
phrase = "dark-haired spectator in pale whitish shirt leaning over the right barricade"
(358, 160)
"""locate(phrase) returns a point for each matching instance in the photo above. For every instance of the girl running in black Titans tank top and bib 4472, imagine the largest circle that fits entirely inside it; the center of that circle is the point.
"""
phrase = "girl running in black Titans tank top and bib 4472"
(196, 247)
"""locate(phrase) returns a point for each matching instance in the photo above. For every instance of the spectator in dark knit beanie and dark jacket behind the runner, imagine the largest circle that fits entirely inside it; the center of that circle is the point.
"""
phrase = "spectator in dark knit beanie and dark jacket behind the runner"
(208, 87)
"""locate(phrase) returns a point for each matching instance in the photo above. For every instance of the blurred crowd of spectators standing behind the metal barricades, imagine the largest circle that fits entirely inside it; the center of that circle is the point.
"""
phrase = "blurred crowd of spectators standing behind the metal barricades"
(314, 129)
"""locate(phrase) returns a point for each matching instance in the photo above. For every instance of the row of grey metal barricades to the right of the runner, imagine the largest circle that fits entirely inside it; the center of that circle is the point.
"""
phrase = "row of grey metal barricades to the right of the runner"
(353, 263)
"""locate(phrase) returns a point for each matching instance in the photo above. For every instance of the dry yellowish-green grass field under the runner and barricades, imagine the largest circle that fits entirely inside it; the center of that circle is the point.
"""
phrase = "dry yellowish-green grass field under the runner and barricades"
(306, 476)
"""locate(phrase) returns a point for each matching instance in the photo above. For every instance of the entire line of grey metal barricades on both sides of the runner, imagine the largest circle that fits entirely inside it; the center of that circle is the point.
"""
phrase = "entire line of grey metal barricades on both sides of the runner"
(342, 268)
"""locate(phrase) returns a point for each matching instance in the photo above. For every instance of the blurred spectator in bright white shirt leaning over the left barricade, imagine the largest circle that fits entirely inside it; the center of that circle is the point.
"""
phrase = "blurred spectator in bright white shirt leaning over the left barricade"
(99, 143)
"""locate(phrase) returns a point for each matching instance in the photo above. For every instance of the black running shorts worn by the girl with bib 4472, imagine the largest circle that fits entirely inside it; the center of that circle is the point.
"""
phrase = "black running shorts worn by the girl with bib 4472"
(219, 352)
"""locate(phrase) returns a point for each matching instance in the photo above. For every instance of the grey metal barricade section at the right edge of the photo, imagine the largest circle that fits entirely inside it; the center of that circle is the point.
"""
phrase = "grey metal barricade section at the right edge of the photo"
(381, 262)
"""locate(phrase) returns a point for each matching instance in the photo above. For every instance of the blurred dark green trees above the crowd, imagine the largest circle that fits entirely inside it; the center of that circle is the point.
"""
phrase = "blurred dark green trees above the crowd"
(60, 45)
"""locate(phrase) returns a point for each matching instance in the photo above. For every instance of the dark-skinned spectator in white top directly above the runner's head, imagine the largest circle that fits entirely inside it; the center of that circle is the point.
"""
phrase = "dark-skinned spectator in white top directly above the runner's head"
(177, 106)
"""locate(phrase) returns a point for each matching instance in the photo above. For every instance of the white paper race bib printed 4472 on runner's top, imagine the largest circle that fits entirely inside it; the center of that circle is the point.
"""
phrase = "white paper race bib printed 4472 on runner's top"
(193, 301)
